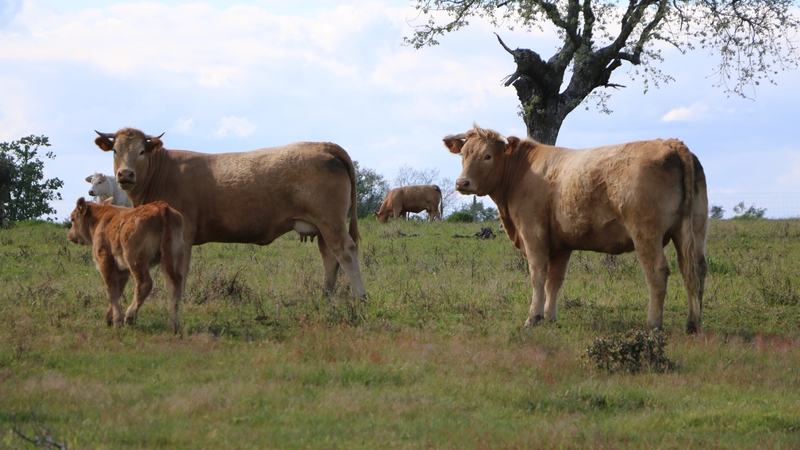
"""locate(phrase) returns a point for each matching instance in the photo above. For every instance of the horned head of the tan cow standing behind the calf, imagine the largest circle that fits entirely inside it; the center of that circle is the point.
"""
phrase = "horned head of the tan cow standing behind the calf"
(132, 149)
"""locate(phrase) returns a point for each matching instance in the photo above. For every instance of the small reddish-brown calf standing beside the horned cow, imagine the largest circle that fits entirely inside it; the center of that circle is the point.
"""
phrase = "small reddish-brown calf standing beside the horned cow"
(130, 241)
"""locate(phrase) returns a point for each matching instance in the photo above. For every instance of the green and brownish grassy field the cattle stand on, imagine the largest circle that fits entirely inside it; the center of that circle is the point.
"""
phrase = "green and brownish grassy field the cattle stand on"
(435, 358)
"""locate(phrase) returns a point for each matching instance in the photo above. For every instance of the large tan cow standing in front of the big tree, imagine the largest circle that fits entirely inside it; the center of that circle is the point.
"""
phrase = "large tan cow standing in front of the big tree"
(619, 198)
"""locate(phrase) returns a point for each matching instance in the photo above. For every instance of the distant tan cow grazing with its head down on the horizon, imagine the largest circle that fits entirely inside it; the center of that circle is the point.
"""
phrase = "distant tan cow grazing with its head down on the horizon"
(411, 199)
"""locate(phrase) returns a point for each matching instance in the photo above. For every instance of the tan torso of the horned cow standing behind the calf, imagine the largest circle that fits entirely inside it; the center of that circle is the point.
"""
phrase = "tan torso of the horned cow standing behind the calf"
(251, 197)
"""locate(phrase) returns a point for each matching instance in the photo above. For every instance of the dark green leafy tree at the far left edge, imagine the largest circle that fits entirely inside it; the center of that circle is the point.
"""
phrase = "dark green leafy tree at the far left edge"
(23, 194)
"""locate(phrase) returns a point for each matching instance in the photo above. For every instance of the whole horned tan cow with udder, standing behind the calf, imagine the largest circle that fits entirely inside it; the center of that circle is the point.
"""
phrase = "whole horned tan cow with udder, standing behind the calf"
(249, 197)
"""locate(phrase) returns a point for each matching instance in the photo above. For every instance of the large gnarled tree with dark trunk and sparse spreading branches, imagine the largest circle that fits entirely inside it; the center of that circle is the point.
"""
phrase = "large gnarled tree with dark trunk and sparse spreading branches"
(753, 40)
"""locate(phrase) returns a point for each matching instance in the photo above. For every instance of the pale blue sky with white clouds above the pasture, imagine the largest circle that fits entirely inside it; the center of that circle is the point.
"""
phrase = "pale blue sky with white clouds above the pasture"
(232, 76)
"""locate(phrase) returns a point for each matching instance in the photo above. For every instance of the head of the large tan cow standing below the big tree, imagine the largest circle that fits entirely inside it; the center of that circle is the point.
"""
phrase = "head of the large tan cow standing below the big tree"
(482, 152)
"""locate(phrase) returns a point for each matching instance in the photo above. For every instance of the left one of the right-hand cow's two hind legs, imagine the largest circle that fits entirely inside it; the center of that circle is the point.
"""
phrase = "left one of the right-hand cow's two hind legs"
(650, 253)
